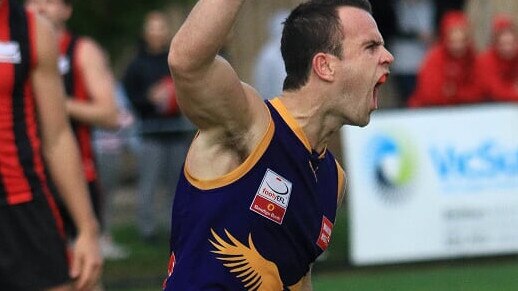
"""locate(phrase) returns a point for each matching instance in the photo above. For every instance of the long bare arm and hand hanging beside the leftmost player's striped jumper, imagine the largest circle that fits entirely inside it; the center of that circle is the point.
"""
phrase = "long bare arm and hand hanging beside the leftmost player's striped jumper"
(62, 157)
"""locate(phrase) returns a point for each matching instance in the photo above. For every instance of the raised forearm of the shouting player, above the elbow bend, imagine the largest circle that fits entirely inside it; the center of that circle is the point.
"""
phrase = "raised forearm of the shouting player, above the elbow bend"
(204, 33)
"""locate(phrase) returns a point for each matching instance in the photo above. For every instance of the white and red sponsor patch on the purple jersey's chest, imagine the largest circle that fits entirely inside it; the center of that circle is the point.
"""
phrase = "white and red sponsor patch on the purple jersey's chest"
(272, 197)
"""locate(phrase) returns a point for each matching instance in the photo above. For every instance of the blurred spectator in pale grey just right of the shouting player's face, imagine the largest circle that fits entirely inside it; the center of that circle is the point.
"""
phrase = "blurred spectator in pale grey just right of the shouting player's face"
(415, 30)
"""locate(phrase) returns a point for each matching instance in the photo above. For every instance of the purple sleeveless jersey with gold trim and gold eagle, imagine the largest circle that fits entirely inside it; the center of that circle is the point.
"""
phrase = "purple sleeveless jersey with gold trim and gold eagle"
(260, 226)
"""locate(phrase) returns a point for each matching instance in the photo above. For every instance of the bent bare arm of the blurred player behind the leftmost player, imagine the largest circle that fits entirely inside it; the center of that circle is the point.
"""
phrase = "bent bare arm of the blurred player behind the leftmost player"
(101, 110)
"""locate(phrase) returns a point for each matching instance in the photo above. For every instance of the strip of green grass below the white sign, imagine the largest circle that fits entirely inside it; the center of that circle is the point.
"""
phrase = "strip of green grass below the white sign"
(479, 276)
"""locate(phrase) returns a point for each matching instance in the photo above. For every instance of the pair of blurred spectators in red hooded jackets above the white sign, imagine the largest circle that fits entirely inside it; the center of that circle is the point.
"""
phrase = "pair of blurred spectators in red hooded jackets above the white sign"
(454, 73)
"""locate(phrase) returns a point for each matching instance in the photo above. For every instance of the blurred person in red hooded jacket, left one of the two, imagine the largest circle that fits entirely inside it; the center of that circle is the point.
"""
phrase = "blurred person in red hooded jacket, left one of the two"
(447, 75)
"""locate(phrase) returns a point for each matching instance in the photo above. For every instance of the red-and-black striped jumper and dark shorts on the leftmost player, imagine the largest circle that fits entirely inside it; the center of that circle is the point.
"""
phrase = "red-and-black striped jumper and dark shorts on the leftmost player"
(32, 241)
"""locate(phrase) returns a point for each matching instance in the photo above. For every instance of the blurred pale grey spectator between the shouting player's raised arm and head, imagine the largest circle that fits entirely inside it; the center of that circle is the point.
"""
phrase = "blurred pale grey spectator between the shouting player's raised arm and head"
(269, 72)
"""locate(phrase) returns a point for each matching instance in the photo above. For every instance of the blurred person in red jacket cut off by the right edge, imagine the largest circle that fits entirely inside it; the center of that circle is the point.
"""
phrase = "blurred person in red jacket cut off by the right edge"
(498, 65)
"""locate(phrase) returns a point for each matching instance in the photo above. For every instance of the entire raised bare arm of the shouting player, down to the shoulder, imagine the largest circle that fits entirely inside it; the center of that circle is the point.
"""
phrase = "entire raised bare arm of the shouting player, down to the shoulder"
(208, 89)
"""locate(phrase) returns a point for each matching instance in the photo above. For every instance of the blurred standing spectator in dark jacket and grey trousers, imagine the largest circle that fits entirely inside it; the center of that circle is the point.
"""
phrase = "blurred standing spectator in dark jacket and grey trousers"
(164, 132)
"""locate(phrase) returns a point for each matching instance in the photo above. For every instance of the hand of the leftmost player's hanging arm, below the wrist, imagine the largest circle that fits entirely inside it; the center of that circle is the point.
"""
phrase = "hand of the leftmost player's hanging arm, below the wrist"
(86, 261)
